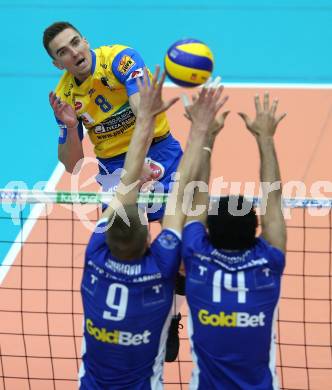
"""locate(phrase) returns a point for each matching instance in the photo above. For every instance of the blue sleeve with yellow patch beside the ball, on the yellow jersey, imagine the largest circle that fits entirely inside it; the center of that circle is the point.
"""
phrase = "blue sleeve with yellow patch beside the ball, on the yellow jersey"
(127, 66)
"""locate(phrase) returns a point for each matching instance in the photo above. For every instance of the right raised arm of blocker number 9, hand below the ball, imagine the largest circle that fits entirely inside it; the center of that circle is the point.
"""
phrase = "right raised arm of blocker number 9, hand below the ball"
(202, 113)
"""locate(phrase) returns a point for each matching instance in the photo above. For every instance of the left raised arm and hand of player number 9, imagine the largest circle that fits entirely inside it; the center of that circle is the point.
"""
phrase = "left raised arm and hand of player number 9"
(150, 105)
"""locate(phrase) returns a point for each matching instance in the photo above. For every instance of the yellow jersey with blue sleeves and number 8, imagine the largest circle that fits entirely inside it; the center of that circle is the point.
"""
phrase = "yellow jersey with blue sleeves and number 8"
(101, 101)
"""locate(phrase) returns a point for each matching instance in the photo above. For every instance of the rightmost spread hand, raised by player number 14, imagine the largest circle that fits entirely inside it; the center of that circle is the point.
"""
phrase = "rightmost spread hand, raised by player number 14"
(266, 121)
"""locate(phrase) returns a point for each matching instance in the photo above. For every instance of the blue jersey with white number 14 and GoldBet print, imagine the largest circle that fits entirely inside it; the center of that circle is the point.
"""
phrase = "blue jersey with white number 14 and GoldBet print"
(233, 299)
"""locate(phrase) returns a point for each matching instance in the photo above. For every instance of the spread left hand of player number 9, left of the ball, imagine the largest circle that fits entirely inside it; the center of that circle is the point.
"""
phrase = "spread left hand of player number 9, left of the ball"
(151, 102)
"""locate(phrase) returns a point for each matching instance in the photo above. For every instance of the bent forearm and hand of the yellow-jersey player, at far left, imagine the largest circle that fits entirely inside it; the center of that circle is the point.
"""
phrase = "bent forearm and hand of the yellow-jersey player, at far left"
(70, 152)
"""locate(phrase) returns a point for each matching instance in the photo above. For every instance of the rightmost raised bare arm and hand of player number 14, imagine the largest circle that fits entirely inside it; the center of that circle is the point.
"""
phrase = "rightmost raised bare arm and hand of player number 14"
(263, 128)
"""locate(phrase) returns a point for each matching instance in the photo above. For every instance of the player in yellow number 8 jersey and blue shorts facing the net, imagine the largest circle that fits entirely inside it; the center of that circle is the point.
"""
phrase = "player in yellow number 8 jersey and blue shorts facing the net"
(98, 89)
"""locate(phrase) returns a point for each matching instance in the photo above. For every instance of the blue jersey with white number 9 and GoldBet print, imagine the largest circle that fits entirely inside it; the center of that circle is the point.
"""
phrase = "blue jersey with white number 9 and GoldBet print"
(127, 311)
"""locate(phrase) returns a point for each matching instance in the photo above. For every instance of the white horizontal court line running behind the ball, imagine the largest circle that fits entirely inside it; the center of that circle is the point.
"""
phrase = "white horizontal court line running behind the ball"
(264, 86)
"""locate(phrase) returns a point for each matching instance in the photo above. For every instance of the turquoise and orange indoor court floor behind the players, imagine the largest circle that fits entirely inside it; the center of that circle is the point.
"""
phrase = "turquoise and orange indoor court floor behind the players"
(283, 43)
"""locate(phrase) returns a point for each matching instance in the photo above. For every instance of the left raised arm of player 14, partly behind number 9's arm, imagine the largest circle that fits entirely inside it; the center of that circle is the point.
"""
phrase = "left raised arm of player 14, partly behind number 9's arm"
(201, 198)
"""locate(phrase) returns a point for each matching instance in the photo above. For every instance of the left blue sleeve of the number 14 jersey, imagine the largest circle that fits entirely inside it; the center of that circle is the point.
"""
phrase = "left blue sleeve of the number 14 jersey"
(194, 237)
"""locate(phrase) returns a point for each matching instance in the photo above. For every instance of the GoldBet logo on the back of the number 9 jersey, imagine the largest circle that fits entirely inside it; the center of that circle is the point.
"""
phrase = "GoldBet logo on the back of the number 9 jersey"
(117, 336)
